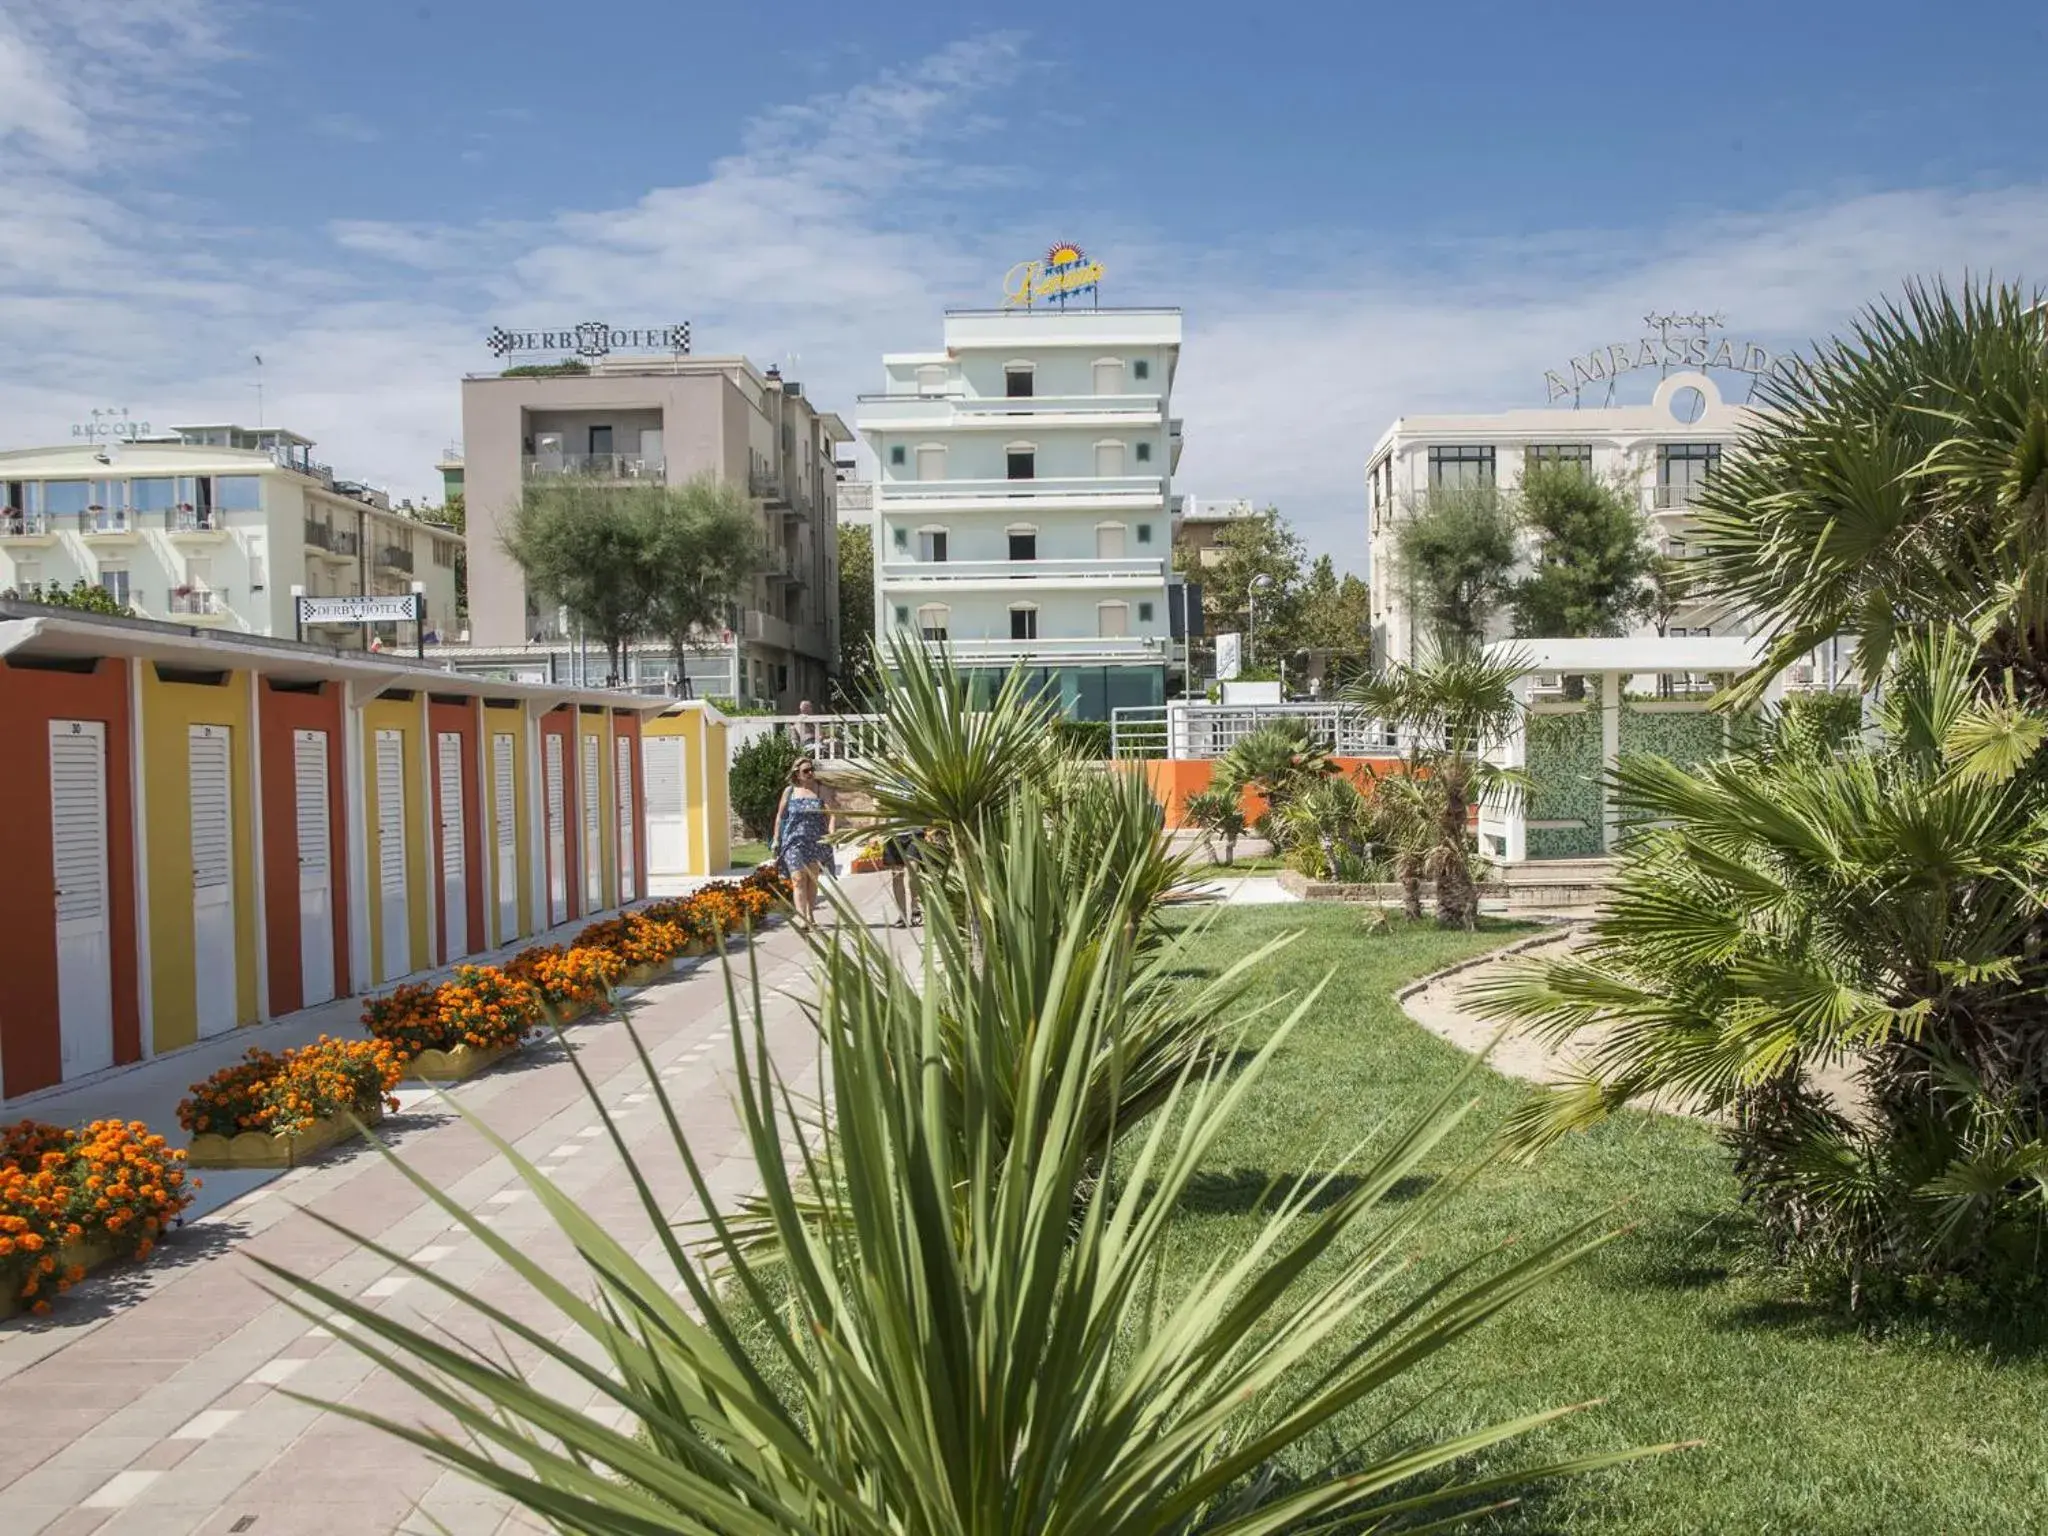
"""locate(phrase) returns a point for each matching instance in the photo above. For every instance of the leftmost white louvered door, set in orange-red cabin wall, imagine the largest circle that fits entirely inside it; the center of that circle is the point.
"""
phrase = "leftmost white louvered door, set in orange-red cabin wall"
(79, 847)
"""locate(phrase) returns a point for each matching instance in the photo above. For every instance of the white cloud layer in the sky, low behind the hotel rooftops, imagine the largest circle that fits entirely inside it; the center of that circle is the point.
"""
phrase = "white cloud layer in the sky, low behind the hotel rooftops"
(837, 230)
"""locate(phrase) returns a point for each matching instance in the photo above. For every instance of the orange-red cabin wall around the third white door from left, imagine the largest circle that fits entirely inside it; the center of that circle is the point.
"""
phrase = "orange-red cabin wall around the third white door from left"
(280, 716)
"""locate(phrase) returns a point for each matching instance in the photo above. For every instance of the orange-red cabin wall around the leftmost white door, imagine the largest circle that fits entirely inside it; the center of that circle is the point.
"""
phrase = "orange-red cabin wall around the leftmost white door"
(30, 699)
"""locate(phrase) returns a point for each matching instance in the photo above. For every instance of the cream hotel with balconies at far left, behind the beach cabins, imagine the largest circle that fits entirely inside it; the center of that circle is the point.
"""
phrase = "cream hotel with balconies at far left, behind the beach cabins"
(216, 527)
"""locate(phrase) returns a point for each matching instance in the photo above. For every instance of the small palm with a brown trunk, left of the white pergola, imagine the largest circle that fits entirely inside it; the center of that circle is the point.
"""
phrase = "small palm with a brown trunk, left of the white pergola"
(1455, 708)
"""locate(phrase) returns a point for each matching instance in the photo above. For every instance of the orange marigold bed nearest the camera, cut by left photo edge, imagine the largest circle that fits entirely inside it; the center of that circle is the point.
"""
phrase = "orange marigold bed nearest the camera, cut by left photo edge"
(79, 1199)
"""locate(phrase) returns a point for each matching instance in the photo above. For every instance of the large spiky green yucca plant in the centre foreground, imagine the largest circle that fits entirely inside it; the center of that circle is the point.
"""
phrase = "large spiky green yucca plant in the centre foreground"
(984, 1349)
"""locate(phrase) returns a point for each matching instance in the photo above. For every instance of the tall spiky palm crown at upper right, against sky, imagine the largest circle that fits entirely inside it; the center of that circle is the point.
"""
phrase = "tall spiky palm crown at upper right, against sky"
(1897, 482)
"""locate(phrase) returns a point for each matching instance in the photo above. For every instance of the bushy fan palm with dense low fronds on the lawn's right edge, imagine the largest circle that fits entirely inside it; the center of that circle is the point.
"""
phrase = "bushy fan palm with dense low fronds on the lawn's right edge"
(1824, 904)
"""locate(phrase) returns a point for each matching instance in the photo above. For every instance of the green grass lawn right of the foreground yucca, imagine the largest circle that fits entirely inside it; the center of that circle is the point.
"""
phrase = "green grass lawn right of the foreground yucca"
(1807, 1426)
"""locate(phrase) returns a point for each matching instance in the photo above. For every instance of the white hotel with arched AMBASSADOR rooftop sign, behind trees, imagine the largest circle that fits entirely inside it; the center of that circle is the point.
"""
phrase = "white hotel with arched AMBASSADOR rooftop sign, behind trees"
(1662, 452)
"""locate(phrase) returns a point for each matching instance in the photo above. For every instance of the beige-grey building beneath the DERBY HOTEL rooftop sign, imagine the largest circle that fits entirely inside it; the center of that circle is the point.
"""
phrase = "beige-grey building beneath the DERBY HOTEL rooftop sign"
(667, 419)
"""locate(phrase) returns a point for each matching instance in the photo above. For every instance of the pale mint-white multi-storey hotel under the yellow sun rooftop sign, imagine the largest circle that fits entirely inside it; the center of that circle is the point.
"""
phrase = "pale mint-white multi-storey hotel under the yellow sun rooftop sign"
(1023, 499)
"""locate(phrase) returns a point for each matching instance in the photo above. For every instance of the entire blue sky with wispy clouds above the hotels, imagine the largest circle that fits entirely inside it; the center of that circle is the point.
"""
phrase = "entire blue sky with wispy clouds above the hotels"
(1363, 210)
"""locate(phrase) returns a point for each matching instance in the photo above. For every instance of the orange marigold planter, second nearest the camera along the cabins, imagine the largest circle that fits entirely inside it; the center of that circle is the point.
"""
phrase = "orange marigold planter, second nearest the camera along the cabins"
(275, 1109)
